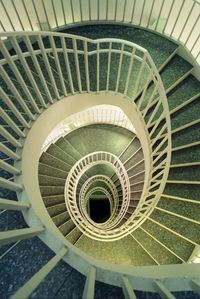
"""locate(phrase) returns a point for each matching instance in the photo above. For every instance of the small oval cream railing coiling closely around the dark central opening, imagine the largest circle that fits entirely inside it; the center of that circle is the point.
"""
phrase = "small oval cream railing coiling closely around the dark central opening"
(110, 232)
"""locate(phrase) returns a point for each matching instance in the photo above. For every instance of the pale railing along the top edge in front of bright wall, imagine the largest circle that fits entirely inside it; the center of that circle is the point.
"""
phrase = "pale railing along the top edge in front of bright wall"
(177, 19)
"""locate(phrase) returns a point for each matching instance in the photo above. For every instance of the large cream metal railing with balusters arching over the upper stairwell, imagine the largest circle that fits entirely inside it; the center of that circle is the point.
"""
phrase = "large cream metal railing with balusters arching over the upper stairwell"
(57, 65)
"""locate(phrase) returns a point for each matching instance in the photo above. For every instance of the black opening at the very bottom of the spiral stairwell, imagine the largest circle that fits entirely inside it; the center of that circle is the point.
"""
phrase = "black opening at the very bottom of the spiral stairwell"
(99, 209)
